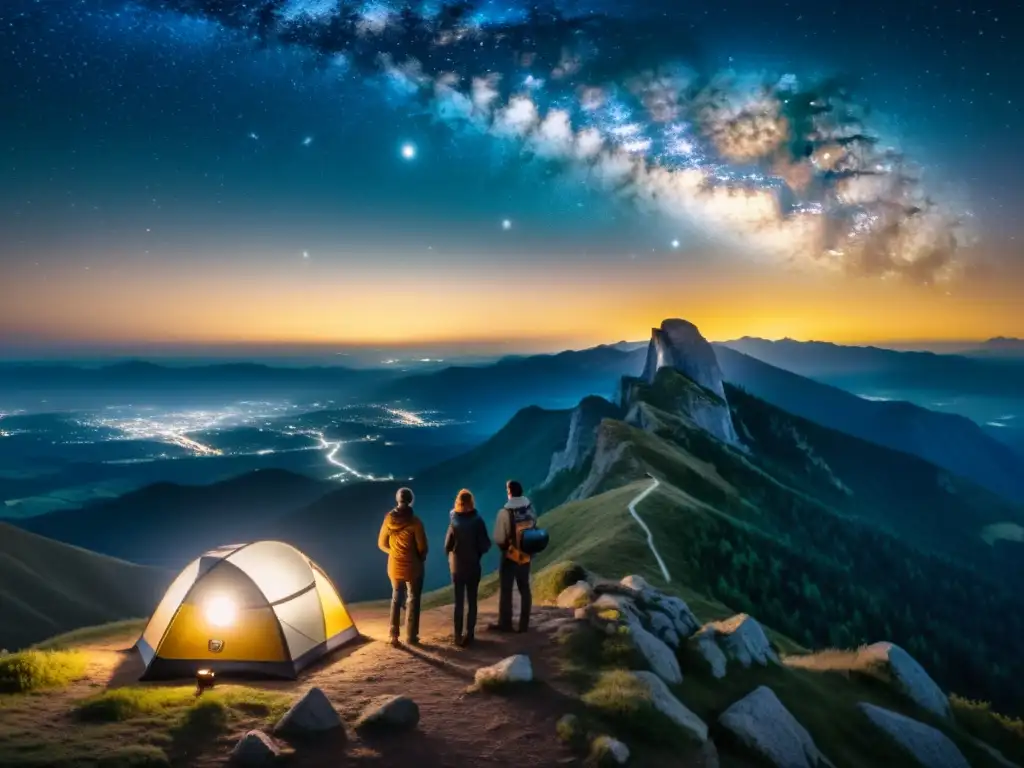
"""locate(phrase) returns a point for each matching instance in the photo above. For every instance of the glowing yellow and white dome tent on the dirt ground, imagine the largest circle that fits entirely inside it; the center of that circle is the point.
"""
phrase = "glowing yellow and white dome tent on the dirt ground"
(262, 609)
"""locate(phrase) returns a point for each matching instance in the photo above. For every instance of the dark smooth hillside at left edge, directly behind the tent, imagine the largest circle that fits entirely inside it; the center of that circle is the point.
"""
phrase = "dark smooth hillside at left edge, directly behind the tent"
(48, 588)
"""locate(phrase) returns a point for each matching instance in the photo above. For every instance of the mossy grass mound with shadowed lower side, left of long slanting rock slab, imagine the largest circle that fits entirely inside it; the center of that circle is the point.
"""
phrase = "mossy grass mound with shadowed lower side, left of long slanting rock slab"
(626, 705)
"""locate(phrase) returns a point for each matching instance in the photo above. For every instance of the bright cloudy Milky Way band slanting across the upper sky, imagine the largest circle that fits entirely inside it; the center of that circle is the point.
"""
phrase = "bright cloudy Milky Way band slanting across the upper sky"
(782, 167)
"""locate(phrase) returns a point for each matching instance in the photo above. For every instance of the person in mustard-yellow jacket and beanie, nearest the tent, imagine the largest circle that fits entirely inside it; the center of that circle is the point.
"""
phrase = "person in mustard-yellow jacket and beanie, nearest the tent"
(405, 541)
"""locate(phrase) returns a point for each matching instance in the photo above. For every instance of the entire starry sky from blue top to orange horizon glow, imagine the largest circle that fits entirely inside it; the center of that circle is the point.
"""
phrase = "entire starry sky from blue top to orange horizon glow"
(211, 174)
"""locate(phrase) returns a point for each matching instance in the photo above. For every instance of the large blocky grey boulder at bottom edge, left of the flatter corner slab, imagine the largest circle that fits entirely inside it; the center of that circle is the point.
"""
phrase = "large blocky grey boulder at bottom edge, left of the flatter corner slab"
(764, 727)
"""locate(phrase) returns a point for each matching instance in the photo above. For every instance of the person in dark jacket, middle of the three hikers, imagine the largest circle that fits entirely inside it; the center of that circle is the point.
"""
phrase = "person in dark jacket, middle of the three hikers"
(466, 543)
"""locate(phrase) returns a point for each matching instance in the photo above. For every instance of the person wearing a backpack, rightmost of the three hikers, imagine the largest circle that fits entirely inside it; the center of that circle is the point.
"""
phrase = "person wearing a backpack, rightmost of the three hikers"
(516, 518)
